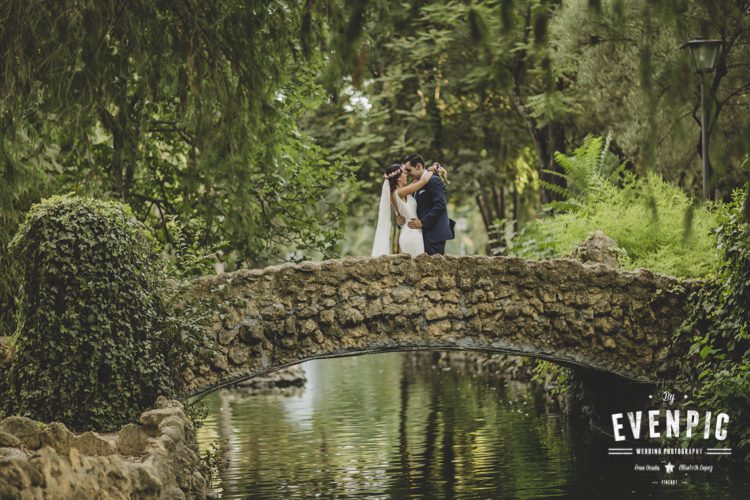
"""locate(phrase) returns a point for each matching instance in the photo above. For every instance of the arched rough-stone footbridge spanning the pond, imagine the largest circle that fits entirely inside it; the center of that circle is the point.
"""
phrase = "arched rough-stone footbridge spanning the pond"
(588, 315)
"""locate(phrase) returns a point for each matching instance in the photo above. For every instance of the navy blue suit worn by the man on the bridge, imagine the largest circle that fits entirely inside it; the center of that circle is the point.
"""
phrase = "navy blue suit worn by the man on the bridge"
(432, 211)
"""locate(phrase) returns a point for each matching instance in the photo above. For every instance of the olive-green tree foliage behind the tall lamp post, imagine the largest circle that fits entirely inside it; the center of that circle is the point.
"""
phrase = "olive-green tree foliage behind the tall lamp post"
(631, 77)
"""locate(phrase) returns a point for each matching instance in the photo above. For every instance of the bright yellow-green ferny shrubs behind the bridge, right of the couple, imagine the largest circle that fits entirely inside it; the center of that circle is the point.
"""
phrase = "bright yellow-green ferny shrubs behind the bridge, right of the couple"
(655, 224)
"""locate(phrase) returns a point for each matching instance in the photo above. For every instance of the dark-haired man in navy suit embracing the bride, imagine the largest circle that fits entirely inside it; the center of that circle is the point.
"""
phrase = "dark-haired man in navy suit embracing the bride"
(432, 213)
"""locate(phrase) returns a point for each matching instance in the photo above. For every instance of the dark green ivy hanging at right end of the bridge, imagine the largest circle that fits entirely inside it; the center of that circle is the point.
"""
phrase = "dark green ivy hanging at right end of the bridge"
(716, 371)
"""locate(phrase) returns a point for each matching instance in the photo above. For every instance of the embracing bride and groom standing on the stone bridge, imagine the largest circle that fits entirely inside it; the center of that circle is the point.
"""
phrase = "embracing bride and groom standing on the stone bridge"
(417, 195)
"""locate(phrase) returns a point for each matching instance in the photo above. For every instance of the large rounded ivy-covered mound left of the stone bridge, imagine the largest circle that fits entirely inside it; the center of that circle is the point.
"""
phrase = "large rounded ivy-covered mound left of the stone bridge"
(94, 344)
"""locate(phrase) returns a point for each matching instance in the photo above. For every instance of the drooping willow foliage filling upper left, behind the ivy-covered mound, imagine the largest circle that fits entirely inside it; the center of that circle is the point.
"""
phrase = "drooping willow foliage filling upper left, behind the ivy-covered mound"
(185, 110)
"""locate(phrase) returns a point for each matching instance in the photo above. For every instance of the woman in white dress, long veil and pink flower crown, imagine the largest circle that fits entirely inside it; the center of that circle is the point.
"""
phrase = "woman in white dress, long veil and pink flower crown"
(398, 193)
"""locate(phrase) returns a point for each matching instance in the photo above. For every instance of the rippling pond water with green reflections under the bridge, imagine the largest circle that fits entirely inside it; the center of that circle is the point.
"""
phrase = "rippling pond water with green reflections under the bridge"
(382, 426)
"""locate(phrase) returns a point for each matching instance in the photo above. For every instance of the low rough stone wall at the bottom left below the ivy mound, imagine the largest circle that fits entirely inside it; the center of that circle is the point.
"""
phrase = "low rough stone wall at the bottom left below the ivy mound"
(156, 459)
